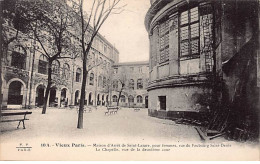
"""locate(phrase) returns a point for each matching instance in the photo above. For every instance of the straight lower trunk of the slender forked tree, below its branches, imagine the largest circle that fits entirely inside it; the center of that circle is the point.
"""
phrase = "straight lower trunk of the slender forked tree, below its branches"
(82, 95)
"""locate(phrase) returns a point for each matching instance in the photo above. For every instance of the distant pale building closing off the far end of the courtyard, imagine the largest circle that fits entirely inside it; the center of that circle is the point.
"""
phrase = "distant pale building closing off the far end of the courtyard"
(131, 79)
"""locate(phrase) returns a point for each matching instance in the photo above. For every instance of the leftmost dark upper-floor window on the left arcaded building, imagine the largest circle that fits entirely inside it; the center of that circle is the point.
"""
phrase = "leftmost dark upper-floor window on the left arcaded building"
(18, 60)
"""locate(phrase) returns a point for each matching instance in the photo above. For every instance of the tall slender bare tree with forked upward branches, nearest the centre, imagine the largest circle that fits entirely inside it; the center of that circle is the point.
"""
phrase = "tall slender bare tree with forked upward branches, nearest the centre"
(99, 12)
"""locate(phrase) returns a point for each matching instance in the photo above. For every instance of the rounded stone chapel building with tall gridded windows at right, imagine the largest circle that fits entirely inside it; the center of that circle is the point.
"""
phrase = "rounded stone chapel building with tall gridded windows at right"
(203, 58)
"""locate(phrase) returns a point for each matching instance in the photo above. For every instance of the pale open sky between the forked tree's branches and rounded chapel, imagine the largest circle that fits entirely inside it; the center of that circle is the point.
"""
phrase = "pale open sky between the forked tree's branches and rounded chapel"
(127, 31)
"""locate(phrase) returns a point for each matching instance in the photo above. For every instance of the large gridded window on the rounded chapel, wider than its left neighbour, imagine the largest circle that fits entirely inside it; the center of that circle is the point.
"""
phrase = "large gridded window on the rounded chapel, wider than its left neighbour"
(189, 33)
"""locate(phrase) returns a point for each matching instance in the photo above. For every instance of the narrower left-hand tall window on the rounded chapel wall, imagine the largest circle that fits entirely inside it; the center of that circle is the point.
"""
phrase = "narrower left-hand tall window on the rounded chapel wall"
(164, 41)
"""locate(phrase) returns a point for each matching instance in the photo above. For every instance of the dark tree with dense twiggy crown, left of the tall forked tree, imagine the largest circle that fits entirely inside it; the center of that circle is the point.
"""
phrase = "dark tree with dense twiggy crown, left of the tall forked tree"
(50, 24)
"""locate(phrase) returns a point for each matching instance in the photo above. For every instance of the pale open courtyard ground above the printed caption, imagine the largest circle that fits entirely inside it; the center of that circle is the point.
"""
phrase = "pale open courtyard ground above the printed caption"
(126, 124)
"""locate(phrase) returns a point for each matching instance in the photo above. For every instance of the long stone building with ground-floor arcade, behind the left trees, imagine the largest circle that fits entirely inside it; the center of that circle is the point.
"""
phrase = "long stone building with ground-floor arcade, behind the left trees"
(24, 74)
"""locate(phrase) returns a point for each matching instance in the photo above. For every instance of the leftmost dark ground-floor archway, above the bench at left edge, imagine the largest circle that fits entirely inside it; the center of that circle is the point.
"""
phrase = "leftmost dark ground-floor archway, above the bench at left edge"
(15, 96)
